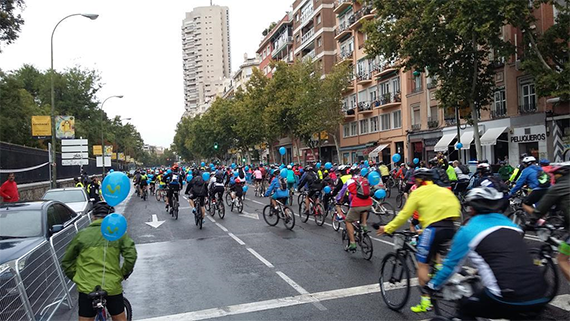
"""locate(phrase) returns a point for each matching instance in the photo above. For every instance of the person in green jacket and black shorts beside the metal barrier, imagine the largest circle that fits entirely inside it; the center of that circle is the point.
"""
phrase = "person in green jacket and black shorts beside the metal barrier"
(90, 260)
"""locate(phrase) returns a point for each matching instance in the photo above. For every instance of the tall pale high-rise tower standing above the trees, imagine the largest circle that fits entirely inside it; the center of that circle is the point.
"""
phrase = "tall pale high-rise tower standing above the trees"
(206, 55)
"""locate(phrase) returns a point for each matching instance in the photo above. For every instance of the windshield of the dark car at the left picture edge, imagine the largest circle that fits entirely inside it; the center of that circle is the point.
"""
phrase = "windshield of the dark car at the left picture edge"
(20, 223)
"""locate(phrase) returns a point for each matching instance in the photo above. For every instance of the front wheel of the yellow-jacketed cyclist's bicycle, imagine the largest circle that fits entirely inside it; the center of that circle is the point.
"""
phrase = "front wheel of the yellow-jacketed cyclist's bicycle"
(394, 281)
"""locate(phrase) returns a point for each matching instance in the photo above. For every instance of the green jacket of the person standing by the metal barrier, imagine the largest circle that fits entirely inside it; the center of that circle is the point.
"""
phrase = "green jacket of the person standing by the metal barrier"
(84, 260)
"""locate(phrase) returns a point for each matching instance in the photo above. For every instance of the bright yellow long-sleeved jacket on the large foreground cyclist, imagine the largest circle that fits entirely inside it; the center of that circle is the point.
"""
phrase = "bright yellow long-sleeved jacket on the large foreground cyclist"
(432, 202)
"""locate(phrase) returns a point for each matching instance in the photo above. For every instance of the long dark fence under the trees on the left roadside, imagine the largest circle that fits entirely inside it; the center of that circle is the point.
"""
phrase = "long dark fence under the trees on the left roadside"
(16, 156)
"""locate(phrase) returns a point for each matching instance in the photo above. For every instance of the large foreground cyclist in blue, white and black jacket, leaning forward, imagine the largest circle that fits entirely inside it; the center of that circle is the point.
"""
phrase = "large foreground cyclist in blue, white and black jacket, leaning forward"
(512, 282)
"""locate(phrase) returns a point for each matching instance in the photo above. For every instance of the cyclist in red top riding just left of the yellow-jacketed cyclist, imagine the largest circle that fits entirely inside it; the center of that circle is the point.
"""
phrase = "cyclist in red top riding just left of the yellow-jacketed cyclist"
(360, 204)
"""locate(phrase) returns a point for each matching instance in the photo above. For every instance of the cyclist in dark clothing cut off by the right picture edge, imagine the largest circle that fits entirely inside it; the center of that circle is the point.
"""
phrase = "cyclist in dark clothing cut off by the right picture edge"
(559, 195)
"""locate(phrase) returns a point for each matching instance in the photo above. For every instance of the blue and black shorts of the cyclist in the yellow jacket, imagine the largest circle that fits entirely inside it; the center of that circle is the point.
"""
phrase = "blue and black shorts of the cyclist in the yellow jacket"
(433, 240)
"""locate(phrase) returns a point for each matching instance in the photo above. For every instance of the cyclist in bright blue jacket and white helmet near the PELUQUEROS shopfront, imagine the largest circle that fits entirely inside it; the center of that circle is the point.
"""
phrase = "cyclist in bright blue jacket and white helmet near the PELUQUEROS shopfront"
(530, 177)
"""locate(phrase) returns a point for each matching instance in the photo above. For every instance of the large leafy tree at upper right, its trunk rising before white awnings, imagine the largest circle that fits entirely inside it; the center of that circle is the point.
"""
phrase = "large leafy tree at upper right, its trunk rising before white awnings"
(450, 39)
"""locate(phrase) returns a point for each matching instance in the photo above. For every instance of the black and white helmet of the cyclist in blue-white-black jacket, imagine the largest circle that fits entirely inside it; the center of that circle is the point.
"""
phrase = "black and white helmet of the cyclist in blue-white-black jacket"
(485, 200)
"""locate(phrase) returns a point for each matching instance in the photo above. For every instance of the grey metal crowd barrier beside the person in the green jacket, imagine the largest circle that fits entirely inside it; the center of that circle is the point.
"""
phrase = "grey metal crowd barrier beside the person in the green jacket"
(34, 287)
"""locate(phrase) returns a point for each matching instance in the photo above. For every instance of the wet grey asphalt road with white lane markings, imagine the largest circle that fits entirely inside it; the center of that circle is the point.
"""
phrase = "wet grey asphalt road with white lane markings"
(239, 268)
